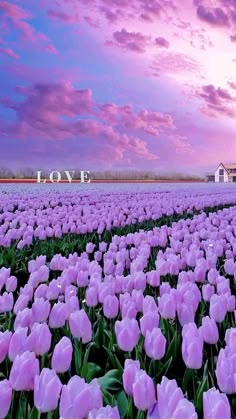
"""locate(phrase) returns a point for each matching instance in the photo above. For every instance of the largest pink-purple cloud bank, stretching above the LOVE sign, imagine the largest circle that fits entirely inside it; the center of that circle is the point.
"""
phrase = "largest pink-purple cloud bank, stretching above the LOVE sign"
(60, 112)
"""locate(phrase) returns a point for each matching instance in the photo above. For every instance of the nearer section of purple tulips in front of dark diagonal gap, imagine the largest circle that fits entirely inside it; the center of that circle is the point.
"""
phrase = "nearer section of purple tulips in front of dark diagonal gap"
(151, 301)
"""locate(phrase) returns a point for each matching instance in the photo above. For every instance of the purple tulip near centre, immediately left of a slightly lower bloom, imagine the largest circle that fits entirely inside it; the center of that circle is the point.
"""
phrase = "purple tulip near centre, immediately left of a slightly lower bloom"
(127, 333)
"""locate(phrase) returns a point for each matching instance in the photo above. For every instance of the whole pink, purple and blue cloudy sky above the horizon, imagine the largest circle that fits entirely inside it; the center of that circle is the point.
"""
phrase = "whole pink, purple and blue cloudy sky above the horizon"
(118, 84)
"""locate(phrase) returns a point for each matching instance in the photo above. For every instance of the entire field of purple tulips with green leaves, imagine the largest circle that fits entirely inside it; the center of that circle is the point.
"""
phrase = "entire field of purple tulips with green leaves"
(118, 305)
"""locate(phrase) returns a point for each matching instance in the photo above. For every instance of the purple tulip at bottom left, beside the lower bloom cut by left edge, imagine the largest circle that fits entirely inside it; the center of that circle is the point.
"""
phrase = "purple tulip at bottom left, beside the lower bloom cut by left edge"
(24, 368)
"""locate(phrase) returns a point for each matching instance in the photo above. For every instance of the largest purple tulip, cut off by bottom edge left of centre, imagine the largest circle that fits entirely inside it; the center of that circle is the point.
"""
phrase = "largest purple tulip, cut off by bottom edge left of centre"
(79, 398)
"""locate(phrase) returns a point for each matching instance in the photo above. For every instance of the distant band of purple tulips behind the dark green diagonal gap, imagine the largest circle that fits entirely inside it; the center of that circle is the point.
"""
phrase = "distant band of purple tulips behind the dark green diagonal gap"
(26, 217)
